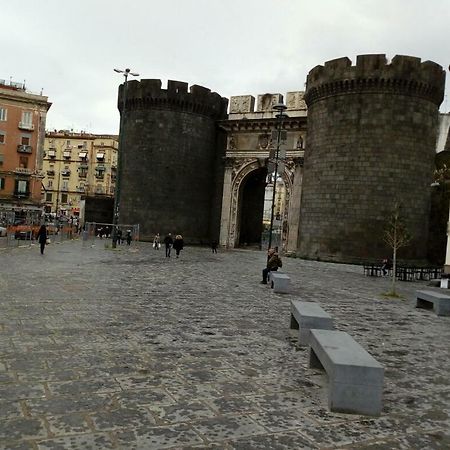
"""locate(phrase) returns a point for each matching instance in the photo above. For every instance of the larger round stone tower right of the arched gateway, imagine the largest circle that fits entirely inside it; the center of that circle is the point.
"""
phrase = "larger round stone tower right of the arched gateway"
(370, 142)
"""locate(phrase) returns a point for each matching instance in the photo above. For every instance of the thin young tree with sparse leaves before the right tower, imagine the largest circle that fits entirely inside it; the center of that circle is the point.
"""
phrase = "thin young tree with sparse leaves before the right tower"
(396, 235)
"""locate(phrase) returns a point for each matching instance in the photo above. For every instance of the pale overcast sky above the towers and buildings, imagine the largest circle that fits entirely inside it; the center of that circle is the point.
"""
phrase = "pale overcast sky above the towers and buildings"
(233, 47)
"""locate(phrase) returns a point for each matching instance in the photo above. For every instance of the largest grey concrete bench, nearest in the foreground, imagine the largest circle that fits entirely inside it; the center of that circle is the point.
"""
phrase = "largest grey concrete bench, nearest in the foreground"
(355, 377)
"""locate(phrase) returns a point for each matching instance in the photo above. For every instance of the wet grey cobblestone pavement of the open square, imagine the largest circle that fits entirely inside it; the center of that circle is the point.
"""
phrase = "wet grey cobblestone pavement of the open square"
(128, 349)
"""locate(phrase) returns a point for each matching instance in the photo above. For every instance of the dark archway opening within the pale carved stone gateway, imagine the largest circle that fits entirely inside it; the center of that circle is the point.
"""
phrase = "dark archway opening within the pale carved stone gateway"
(251, 208)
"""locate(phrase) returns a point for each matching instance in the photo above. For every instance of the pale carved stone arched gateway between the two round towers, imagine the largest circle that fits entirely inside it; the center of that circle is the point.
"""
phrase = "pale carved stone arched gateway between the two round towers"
(249, 141)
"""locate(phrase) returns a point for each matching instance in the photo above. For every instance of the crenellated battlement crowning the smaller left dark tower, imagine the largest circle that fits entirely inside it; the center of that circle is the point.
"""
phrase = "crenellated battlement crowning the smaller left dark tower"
(148, 93)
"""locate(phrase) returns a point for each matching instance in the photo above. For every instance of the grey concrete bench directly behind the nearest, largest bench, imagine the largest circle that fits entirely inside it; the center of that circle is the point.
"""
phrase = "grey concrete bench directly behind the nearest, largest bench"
(306, 316)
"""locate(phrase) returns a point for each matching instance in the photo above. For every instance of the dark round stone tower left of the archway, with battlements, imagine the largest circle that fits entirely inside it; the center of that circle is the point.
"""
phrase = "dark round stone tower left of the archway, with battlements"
(171, 160)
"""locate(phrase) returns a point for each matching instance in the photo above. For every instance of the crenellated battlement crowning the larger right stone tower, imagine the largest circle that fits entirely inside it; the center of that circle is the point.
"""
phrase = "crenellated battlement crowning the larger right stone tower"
(404, 75)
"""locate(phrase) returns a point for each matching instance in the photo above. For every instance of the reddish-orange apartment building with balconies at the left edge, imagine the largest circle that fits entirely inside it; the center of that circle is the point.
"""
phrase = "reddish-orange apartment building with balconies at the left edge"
(22, 133)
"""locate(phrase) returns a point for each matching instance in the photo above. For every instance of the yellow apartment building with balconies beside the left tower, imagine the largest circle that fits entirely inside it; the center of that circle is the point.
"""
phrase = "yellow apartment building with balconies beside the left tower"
(77, 165)
